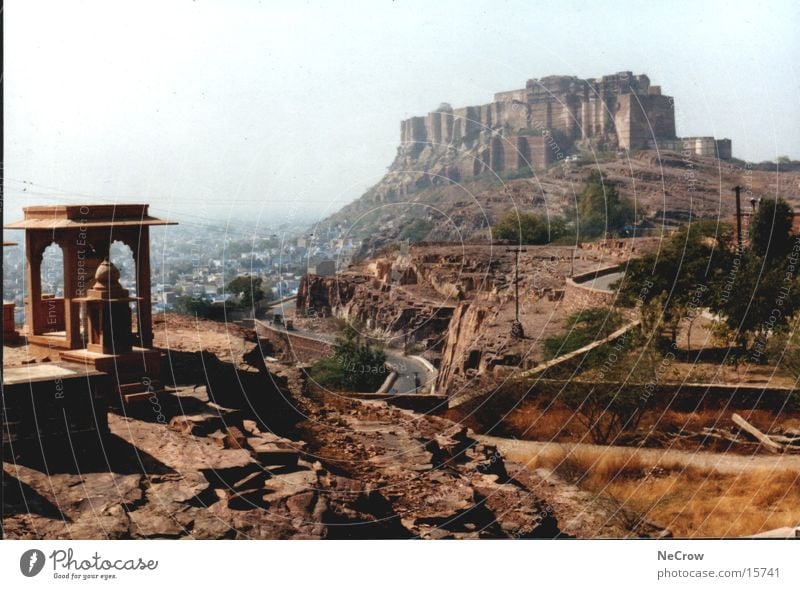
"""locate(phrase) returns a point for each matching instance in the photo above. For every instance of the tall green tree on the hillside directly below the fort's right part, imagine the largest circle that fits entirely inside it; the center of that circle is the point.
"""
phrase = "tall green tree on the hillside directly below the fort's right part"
(601, 210)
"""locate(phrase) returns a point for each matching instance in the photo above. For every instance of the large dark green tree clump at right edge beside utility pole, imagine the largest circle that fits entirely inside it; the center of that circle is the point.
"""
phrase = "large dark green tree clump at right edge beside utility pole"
(754, 293)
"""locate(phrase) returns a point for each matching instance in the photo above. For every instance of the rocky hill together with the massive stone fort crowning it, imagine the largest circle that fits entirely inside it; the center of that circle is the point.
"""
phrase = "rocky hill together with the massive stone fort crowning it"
(532, 149)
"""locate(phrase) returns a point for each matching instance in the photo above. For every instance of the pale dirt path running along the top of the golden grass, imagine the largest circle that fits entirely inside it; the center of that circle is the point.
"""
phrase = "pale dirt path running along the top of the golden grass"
(727, 463)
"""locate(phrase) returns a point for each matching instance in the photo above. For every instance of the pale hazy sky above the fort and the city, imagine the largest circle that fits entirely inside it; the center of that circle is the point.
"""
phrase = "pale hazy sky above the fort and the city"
(262, 110)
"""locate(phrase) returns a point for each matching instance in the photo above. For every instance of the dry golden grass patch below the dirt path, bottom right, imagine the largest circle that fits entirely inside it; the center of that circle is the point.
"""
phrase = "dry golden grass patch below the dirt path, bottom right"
(690, 502)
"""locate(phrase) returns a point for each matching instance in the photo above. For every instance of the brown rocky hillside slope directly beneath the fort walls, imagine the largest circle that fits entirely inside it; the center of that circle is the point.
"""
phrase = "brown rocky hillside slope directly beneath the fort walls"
(666, 187)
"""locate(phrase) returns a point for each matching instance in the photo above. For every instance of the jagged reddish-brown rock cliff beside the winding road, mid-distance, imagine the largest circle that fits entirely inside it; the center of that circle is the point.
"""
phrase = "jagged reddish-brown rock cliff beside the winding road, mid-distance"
(455, 301)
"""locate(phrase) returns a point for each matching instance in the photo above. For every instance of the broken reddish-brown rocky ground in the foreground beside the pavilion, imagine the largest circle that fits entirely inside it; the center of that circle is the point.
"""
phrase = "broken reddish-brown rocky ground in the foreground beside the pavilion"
(278, 462)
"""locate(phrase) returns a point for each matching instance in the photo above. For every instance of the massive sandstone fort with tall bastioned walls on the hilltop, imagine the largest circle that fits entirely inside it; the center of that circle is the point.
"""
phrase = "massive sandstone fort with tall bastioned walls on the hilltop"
(546, 121)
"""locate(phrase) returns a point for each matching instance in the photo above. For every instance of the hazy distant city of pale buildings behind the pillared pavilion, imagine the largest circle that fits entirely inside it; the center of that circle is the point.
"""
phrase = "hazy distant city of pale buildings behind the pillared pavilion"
(199, 262)
